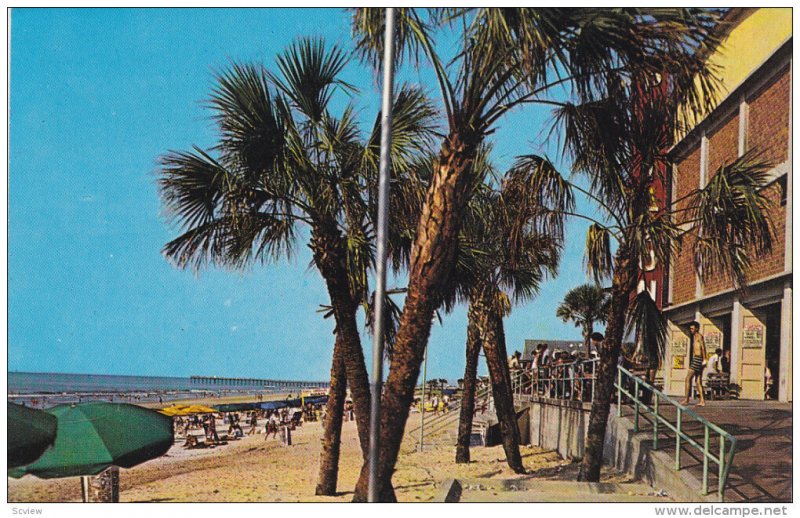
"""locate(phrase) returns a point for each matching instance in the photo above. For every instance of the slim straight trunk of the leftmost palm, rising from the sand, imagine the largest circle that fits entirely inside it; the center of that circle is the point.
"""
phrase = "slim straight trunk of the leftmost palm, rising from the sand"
(331, 440)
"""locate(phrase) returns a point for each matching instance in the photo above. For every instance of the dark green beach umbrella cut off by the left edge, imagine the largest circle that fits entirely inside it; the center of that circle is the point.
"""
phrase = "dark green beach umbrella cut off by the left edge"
(30, 433)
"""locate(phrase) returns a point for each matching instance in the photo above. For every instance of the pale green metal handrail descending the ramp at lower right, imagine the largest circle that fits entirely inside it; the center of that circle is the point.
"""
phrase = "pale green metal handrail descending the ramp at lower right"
(627, 381)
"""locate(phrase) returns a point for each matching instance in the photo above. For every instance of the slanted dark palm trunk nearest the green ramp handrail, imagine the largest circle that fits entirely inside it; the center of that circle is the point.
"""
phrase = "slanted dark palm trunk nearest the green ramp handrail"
(622, 286)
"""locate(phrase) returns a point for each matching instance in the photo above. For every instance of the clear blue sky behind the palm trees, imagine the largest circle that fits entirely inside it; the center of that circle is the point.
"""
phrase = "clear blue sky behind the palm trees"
(96, 96)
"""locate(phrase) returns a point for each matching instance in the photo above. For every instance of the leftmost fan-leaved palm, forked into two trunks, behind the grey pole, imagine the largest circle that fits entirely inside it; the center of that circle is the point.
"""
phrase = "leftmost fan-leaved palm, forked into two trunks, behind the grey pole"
(282, 161)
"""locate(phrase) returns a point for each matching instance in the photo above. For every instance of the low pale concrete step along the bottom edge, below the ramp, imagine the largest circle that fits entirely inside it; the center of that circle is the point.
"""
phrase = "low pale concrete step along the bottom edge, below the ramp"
(534, 490)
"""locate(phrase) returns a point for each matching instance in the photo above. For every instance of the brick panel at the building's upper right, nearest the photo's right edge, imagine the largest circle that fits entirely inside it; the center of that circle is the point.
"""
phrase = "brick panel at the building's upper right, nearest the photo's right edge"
(768, 121)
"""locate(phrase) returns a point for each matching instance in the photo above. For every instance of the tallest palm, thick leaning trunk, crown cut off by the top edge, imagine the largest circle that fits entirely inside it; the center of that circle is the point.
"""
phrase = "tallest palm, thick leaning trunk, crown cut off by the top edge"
(506, 58)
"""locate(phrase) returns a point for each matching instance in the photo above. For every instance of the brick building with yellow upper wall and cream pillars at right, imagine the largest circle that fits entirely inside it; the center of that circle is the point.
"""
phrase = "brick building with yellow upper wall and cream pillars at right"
(754, 112)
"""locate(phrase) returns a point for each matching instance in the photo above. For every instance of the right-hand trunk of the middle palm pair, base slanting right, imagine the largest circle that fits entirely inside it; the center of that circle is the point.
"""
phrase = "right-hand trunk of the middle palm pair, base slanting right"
(494, 345)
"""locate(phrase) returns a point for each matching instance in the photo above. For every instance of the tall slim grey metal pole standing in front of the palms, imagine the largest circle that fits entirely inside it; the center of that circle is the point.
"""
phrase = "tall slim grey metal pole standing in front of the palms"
(380, 267)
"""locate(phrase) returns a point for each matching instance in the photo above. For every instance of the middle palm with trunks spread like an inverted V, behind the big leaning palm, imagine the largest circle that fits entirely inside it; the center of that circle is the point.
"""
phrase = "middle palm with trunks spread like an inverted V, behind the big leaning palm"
(500, 253)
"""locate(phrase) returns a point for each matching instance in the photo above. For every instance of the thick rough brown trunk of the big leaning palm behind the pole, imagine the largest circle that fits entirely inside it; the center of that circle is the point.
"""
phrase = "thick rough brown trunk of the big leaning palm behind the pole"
(432, 260)
